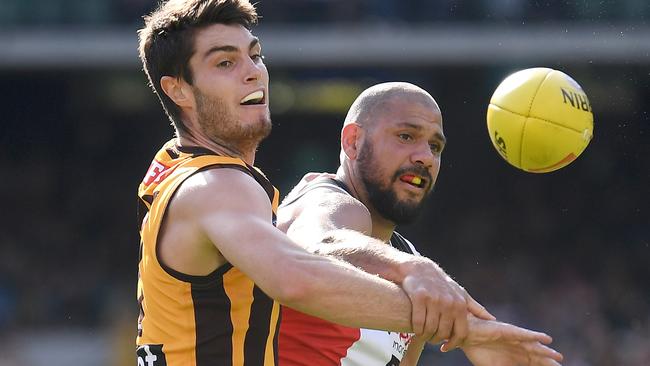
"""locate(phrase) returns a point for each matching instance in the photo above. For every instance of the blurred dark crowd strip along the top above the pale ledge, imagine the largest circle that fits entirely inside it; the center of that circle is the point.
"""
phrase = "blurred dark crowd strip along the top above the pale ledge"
(128, 12)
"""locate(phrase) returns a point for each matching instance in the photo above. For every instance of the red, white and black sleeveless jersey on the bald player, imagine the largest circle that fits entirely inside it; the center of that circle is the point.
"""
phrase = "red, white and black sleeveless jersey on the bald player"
(306, 340)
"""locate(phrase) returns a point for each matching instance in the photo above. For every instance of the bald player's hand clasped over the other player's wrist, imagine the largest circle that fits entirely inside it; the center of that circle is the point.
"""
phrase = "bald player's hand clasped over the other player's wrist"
(440, 307)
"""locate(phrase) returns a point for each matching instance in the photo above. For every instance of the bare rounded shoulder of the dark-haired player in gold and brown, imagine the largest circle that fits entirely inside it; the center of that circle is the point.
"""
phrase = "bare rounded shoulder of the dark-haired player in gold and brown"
(198, 209)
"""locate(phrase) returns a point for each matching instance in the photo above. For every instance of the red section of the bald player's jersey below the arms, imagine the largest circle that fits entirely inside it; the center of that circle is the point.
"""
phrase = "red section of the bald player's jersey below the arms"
(306, 341)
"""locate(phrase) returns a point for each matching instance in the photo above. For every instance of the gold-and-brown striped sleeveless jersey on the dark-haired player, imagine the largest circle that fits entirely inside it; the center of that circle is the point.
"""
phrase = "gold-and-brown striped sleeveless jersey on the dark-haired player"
(215, 320)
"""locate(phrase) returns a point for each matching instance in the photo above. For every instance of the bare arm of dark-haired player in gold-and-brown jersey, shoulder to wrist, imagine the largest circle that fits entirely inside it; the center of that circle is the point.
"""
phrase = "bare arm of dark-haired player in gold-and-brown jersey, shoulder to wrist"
(230, 210)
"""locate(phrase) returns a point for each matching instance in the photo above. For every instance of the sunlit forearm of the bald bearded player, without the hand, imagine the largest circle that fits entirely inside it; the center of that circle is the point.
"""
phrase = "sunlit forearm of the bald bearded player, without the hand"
(369, 254)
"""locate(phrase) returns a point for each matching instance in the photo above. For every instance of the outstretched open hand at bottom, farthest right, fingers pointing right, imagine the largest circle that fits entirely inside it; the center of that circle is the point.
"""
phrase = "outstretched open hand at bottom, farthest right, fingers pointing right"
(495, 343)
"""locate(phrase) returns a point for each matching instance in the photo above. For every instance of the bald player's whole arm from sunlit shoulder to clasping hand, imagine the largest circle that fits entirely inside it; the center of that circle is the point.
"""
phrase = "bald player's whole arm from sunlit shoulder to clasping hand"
(335, 224)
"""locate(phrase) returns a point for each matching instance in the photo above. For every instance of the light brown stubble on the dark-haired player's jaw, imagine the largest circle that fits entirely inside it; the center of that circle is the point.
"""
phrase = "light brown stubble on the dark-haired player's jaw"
(223, 127)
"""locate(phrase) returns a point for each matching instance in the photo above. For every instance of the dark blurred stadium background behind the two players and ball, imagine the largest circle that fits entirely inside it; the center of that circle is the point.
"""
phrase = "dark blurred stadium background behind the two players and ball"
(567, 252)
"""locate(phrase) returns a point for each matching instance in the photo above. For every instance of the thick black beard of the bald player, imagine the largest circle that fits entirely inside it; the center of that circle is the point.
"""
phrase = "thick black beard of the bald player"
(381, 196)
